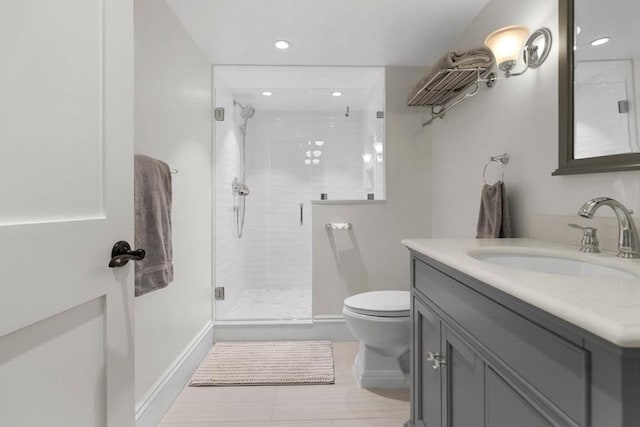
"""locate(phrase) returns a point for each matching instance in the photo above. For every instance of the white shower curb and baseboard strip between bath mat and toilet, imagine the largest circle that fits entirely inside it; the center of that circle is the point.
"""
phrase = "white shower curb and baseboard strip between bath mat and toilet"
(332, 328)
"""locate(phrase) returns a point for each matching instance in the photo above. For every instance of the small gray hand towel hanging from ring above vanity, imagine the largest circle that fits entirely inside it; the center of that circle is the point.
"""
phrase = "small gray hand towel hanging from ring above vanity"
(493, 220)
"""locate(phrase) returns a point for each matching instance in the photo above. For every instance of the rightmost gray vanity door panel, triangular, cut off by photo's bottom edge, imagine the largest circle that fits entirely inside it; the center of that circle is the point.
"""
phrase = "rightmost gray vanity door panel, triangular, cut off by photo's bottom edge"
(507, 408)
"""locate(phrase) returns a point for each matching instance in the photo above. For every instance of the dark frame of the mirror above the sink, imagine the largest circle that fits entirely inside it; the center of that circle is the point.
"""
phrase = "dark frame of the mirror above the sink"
(567, 165)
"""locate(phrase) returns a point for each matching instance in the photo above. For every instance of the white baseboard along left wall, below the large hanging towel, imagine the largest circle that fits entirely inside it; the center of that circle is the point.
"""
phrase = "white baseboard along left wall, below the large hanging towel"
(157, 401)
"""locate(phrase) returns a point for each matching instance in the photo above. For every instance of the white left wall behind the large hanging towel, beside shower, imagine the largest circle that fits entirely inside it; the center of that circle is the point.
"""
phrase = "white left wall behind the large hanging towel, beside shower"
(173, 123)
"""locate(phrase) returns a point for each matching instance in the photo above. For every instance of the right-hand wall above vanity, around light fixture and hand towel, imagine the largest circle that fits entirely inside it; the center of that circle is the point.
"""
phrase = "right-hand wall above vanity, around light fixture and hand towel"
(518, 116)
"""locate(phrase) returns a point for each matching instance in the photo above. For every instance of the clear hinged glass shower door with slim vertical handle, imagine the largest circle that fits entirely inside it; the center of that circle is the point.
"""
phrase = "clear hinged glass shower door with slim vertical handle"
(266, 272)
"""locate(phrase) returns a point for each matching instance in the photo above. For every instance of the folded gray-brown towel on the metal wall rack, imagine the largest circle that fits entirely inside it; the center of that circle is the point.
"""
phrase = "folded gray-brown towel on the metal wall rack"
(457, 59)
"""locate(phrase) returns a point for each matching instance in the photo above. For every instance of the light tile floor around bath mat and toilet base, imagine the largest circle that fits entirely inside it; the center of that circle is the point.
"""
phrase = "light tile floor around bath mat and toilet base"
(342, 404)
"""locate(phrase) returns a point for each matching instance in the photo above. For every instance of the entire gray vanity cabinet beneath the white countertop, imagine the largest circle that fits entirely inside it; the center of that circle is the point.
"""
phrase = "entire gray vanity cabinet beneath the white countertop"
(481, 358)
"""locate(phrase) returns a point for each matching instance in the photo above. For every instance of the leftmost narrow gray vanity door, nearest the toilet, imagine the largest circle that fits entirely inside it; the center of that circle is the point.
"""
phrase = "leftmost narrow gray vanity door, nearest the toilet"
(426, 381)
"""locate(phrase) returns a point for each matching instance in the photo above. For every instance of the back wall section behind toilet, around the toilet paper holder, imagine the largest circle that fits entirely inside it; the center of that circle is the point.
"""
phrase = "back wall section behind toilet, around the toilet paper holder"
(370, 257)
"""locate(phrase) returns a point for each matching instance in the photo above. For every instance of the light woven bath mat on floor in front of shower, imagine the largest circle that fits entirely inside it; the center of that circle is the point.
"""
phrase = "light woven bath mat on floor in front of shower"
(266, 363)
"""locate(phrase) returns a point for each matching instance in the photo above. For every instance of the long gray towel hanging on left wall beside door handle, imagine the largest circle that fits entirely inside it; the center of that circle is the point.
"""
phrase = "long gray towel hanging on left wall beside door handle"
(152, 203)
